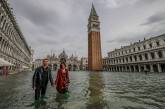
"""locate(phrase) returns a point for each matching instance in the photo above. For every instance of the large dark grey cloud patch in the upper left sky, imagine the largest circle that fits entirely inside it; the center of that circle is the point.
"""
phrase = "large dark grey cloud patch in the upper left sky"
(35, 12)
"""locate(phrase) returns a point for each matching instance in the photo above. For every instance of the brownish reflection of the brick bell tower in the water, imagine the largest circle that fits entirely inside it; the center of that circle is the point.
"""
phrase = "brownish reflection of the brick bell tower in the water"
(96, 87)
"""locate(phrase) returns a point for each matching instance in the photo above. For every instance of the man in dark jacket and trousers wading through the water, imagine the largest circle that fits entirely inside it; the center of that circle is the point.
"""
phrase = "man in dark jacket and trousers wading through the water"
(40, 80)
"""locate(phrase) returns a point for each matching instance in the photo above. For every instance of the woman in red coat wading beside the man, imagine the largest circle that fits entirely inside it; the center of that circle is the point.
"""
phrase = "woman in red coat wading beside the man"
(62, 79)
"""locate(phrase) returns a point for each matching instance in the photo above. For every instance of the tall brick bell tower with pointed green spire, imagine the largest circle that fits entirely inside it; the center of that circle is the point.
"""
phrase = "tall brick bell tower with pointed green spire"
(94, 42)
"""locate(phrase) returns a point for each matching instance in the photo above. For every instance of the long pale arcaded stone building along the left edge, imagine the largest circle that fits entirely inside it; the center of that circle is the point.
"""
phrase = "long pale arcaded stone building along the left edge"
(14, 48)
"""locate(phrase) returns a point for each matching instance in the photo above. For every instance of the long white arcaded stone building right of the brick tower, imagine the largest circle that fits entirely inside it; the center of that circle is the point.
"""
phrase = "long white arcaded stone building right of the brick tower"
(147, 55)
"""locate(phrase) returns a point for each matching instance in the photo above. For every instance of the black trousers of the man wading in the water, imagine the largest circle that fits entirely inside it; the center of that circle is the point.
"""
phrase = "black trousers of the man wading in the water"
(40, 92)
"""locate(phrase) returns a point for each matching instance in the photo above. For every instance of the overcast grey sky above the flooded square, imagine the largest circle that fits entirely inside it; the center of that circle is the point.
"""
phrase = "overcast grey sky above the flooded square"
(62, 24)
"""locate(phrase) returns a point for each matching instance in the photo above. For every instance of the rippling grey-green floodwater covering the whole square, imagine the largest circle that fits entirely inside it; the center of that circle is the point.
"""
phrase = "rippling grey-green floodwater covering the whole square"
(88, 90)
